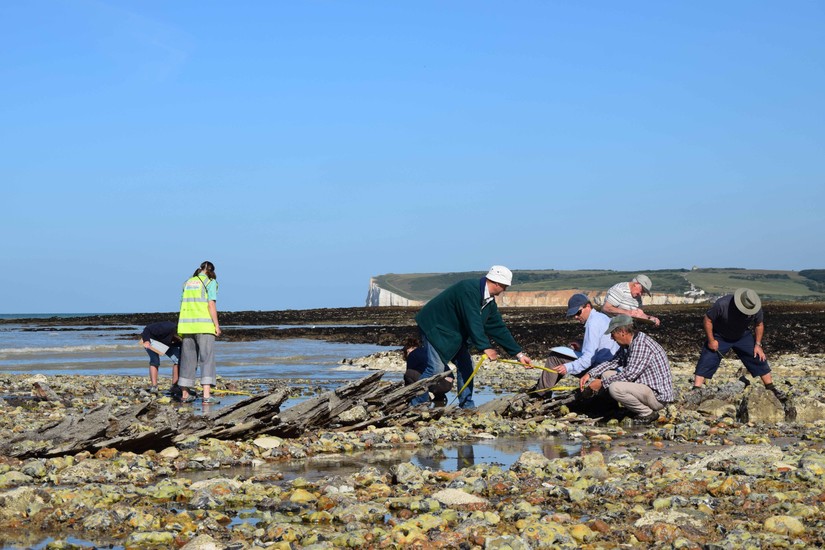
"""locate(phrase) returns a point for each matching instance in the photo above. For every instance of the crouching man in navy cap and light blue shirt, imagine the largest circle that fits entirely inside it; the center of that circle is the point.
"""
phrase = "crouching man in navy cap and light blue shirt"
(596, 348)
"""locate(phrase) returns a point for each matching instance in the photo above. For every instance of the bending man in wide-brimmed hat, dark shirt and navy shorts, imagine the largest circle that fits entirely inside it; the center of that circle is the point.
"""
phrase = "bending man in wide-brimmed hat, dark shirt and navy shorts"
(727, 326)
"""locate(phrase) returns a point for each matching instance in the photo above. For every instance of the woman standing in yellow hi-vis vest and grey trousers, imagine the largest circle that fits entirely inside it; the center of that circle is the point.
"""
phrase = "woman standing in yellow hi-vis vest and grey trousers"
(198, 326)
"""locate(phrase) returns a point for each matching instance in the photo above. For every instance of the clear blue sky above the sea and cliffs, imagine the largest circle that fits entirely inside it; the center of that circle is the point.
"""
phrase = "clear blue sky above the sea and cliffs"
(305, 146)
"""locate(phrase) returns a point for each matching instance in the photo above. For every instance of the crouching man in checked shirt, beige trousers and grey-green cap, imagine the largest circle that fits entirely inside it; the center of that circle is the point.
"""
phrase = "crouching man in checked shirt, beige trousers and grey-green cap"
(638, 377)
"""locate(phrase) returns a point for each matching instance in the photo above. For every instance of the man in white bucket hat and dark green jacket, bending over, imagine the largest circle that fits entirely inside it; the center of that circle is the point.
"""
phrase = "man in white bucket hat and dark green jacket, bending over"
(465, 315)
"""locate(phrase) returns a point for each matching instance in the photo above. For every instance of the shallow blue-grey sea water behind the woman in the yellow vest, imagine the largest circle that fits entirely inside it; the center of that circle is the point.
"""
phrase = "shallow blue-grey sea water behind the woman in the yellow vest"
(90, 350)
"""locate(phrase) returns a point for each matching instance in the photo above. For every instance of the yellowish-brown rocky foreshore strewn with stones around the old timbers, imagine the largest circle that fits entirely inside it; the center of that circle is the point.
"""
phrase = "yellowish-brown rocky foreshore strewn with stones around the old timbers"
(727, 467)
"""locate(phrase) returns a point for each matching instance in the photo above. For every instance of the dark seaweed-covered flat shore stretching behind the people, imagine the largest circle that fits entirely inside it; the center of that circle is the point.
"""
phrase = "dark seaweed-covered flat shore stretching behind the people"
(797, 328)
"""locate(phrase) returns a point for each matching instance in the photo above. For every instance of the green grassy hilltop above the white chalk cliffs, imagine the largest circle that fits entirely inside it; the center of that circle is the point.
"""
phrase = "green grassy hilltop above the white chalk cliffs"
(806, 285)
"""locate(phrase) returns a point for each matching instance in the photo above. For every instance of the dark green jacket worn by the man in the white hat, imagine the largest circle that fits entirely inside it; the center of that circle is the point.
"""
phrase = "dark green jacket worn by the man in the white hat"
(455, 316)
